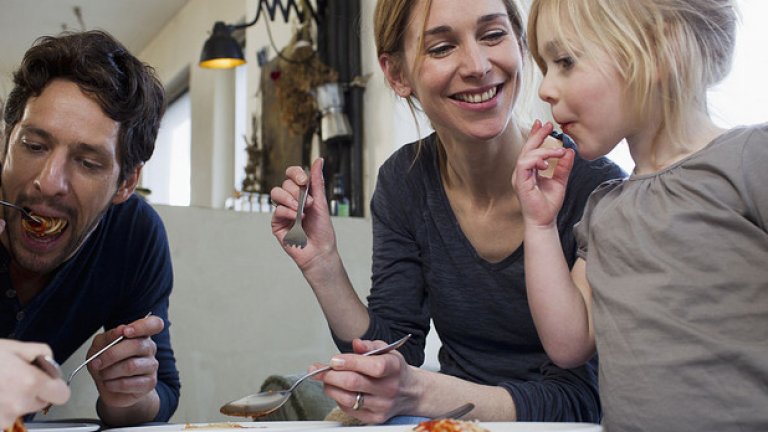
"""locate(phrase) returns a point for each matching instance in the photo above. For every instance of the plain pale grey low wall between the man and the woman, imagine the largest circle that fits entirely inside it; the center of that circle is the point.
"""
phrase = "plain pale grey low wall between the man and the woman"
(240, 310)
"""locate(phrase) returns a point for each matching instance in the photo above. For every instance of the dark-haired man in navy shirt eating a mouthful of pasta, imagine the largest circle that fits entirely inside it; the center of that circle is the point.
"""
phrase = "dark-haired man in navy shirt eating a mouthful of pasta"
(80, 121)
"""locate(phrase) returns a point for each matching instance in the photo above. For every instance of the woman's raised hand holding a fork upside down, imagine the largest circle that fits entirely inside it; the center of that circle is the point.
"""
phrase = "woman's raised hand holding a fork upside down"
(317, 220)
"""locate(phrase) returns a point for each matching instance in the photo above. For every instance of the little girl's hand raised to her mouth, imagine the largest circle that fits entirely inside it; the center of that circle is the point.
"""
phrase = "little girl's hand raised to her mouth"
(541, 197)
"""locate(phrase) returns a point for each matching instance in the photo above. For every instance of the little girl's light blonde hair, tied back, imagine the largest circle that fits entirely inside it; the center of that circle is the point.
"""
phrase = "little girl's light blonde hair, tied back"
(673, 48)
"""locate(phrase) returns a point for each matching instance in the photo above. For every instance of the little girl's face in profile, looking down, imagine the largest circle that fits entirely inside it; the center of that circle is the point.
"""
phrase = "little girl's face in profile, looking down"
(587, 96)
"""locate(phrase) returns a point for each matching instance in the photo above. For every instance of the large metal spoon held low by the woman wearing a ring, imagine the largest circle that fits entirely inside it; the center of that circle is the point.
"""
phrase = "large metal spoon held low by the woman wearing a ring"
(261, 404)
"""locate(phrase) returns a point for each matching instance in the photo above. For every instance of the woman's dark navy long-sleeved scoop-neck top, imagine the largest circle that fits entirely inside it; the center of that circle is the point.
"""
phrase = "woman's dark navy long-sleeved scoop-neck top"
(424, 267)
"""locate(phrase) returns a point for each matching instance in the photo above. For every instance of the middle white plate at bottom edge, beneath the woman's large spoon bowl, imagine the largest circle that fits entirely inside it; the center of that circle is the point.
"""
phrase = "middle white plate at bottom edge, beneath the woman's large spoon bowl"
(226, 426)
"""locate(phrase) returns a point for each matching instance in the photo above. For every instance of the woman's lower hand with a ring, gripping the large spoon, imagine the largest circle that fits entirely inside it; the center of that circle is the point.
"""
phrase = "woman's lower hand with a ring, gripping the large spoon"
(385, 383)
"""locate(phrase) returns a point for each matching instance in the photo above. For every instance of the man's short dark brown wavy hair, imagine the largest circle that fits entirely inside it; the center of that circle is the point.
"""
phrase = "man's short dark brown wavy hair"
(127, 90)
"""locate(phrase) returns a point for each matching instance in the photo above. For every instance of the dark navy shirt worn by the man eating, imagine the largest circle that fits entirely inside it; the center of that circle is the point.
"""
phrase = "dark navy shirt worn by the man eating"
(122, 272)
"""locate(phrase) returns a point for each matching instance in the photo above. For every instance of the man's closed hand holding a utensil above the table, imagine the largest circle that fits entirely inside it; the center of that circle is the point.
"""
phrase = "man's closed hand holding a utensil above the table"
(126, 374)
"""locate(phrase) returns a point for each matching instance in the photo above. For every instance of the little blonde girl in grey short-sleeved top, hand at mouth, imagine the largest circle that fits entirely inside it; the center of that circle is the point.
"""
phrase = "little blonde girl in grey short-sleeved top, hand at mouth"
(671, 284)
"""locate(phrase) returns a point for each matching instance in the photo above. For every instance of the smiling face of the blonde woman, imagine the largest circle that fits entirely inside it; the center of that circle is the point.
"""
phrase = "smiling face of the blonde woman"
(468, 67)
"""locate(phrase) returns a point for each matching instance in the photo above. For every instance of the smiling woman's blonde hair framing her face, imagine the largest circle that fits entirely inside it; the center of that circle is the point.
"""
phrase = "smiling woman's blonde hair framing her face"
(390, 25)
